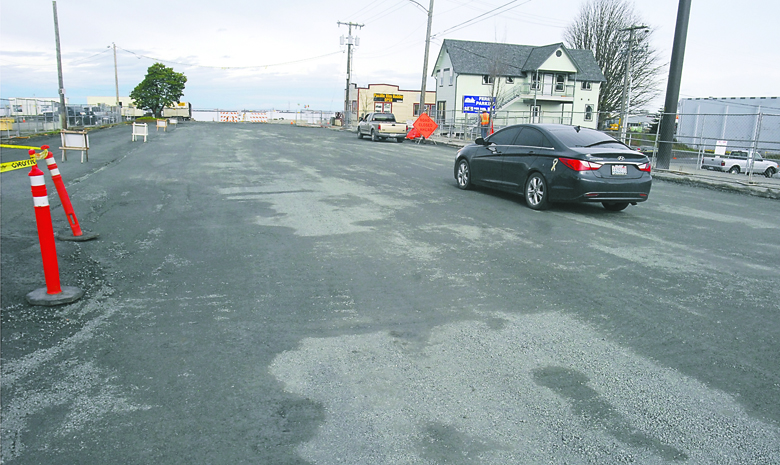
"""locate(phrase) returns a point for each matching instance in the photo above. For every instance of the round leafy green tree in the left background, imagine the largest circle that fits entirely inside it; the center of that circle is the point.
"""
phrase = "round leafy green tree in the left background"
(161, 87)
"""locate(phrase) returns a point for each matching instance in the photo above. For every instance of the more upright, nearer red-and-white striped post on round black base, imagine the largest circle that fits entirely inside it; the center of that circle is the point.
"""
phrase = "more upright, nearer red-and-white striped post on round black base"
(53, 293)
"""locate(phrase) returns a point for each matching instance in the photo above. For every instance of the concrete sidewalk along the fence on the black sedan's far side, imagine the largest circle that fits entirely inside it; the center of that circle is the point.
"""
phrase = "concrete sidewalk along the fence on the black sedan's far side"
(687, 173)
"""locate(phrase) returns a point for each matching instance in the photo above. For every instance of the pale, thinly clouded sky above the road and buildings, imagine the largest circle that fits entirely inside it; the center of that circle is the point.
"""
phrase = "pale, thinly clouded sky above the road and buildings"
(286, 55)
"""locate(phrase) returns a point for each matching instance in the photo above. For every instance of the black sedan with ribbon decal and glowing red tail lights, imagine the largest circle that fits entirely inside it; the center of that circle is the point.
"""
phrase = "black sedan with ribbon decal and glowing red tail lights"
(549, 163)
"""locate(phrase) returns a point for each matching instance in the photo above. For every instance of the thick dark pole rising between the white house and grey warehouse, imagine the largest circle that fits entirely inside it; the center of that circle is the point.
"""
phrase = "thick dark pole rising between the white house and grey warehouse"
(668, 119)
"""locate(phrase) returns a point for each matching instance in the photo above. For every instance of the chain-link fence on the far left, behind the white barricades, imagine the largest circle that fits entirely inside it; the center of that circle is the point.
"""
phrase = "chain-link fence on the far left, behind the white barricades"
(25, 116)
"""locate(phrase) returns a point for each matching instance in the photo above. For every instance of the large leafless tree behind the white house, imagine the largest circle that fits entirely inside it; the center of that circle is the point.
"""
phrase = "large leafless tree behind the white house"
(601, 28)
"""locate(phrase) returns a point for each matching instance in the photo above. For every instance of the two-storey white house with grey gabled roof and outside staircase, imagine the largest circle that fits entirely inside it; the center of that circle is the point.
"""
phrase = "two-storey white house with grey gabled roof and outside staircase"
(523, 83)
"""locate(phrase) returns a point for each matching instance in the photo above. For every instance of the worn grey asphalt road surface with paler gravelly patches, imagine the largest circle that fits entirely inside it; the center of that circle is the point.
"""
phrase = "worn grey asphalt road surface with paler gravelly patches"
(283, 295)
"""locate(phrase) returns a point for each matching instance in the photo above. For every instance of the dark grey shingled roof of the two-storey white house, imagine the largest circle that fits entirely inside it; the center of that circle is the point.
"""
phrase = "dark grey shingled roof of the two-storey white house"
(479, 58)
